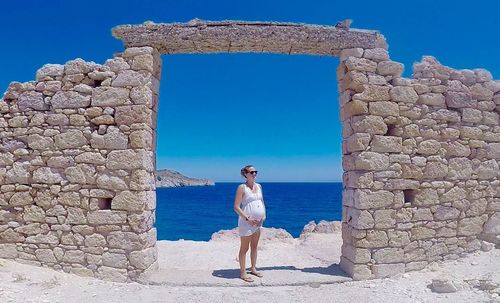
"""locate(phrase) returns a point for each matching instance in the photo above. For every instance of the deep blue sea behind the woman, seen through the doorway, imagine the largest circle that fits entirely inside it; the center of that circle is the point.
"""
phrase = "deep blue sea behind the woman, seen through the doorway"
(195, 213)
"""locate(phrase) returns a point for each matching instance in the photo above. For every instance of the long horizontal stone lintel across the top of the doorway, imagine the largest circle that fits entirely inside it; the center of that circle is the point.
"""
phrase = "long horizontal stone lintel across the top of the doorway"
(199, 36)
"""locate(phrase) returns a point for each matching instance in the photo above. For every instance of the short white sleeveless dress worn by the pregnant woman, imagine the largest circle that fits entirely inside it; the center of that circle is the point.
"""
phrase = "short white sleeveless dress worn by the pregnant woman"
(253, 207)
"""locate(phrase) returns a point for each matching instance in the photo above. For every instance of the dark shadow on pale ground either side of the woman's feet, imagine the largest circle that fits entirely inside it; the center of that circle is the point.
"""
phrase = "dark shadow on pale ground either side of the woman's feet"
(332, 270)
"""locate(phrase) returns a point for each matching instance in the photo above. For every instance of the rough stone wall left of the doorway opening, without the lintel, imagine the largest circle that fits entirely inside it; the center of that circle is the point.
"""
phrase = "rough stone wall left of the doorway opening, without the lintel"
(77, 167)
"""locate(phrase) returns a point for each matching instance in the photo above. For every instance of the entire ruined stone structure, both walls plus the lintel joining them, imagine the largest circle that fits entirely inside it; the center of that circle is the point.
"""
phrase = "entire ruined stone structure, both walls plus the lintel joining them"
(78, 149)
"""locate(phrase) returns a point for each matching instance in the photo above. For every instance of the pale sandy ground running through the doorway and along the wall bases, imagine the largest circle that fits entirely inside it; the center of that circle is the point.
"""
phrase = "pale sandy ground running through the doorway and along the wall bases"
(294, 271)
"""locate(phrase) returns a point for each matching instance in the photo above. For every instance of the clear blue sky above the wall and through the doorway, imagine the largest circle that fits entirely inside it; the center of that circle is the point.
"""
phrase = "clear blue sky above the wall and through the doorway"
(220, 112)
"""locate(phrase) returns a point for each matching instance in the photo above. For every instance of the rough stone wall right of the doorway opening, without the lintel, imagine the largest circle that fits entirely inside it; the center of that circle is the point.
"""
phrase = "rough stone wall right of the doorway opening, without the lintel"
(421, 160)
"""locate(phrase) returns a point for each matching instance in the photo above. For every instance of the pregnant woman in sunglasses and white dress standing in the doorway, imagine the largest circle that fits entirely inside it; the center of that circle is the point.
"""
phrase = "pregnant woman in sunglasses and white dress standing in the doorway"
(249, 205)
